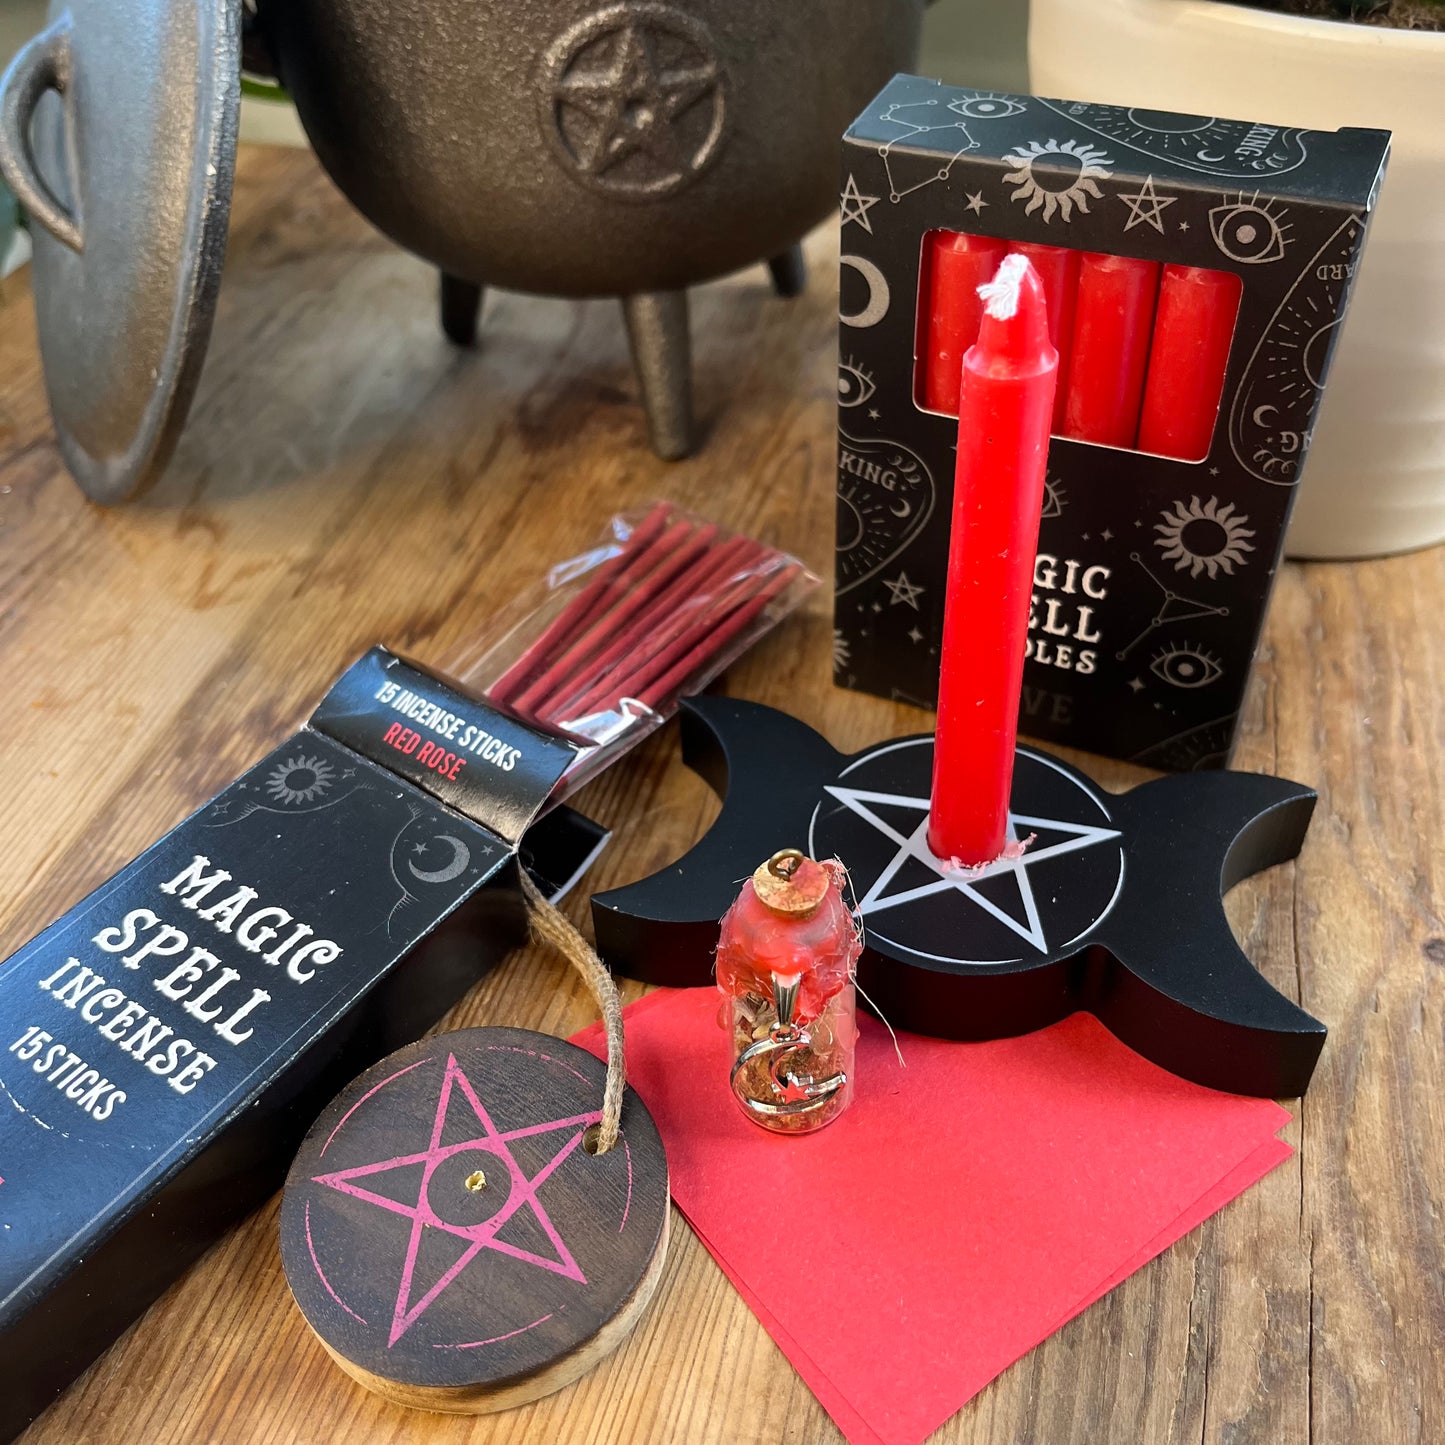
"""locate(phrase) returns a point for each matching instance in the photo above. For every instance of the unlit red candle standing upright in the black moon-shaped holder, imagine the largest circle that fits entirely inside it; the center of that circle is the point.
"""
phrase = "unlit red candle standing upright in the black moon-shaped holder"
(1006, 408)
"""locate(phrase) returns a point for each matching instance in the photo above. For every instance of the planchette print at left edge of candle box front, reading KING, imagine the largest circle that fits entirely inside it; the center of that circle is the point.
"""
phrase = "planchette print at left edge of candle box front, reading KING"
(885, 499)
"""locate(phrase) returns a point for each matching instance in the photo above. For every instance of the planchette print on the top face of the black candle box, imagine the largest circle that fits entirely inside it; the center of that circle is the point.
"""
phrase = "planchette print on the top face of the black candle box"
(1206, 144)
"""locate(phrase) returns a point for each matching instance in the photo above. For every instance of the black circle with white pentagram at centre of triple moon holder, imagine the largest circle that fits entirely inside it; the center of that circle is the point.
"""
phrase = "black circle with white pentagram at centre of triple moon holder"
(1008, 913)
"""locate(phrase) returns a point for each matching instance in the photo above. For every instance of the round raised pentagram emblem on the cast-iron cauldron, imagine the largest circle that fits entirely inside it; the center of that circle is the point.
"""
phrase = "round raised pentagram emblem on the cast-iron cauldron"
(635, 100)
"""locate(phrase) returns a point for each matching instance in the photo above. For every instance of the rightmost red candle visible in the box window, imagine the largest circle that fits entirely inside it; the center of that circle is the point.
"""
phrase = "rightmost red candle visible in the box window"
(1194, 326)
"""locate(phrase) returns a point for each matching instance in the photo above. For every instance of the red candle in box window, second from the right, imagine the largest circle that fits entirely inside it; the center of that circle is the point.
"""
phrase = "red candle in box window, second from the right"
(1113, 323)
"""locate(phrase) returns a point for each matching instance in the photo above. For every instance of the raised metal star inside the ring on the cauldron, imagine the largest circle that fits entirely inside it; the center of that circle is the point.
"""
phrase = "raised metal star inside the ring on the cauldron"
(635, 103)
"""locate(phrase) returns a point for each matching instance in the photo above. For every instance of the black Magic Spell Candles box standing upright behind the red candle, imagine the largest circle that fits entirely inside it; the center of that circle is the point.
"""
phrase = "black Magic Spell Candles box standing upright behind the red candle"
(1152, 574)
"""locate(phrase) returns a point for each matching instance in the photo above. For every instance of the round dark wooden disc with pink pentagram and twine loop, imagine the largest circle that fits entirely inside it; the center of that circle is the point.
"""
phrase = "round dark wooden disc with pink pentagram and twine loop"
(454, 1233)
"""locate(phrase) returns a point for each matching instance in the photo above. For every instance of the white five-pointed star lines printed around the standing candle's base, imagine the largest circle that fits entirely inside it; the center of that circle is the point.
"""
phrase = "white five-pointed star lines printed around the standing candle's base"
(965, 882)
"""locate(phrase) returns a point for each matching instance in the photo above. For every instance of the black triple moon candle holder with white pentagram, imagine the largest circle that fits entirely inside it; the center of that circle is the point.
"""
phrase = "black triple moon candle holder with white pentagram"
(1115, 905)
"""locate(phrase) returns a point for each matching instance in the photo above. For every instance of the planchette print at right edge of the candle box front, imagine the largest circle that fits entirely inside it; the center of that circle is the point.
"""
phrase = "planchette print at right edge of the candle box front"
(1269, 420)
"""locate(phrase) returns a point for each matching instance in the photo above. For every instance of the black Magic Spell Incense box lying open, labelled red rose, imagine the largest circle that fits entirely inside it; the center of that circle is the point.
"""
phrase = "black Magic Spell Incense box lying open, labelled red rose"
(168, 1043)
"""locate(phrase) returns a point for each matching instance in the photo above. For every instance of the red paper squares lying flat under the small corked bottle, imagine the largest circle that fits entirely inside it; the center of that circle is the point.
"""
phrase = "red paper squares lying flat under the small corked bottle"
(963, 1209)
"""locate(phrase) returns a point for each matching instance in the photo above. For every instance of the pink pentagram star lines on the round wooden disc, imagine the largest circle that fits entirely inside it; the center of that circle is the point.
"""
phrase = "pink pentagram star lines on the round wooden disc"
(479, 1236)
